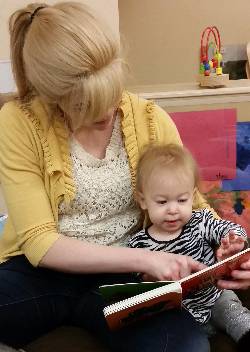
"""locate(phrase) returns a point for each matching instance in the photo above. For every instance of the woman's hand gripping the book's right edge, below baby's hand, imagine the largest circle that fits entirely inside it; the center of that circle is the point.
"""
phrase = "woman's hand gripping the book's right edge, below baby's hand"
(240, 278)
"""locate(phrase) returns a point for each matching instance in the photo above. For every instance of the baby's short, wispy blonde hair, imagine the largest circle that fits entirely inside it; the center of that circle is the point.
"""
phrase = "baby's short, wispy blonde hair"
(171, 156)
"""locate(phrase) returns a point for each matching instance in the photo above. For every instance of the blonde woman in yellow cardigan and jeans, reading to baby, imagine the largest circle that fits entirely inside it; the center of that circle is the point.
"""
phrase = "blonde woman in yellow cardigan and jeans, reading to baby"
(69, 147)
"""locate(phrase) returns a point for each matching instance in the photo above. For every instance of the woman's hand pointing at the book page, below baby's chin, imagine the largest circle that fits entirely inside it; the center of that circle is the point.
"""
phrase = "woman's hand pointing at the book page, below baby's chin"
(168, 266)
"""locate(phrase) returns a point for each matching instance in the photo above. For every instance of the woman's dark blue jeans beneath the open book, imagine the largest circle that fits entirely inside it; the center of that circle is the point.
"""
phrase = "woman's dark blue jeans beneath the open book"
(34, 301)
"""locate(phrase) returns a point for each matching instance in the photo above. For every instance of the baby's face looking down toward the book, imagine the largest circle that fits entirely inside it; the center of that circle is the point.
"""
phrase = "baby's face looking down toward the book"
(168, 198)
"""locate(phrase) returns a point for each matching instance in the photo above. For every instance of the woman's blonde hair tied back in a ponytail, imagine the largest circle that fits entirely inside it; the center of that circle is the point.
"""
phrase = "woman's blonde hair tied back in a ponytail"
(67, 56)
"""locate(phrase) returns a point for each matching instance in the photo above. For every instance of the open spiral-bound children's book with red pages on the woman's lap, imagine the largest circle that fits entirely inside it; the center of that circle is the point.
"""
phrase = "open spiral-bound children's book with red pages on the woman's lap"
(128, 303)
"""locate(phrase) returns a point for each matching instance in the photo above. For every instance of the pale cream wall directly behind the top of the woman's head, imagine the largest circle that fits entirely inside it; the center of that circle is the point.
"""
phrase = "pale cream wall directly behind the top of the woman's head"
(107, 8)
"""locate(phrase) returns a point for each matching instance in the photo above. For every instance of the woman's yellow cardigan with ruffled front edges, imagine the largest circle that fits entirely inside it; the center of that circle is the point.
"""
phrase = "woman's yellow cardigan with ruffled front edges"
(36, 169)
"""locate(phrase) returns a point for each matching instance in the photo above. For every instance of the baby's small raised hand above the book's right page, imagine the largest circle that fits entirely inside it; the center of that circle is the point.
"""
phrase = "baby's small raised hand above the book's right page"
(230, 245)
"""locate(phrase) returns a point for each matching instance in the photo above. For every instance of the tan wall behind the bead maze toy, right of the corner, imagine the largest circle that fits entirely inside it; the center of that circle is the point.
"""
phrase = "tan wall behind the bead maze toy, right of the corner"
(163, 36)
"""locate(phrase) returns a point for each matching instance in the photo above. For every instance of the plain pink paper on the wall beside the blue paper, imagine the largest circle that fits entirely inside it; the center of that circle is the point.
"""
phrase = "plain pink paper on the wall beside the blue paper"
(211, 137)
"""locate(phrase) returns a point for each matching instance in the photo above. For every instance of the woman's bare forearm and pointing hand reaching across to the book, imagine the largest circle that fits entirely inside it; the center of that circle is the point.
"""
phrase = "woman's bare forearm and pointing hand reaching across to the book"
(72, 255)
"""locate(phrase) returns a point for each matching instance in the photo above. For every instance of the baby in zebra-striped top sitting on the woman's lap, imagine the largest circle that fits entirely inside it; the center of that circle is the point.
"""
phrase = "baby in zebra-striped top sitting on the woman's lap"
(167, 181)
